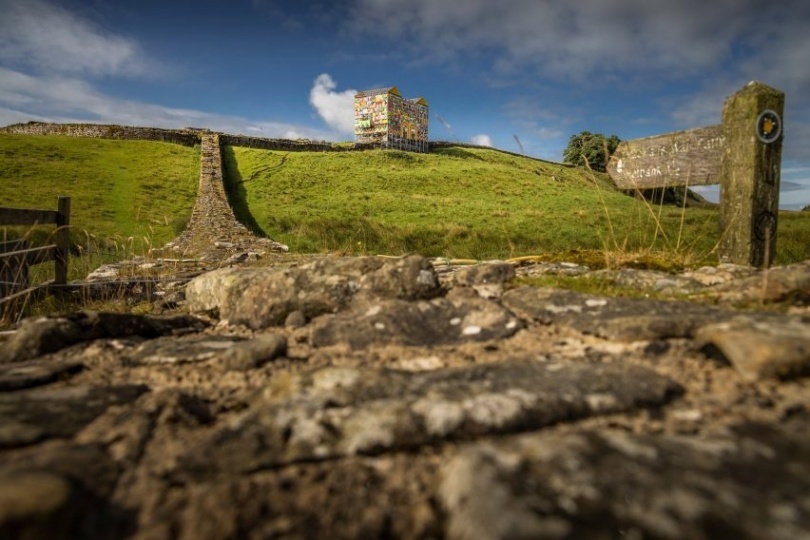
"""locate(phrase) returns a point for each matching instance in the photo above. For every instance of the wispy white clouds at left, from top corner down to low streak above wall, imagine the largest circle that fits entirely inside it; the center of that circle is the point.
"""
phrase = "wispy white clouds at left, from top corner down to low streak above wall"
(49, 57)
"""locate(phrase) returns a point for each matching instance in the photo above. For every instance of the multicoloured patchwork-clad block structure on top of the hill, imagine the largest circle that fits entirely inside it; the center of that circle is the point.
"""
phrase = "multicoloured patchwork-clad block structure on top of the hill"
(383, 117)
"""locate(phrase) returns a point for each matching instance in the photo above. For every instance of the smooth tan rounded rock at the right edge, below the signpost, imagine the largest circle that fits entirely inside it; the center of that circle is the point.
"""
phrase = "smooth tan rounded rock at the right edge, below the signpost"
(760, 349)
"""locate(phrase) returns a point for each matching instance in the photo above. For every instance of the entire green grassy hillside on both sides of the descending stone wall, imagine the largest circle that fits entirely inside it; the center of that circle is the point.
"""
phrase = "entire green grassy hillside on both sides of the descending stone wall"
(471, 203)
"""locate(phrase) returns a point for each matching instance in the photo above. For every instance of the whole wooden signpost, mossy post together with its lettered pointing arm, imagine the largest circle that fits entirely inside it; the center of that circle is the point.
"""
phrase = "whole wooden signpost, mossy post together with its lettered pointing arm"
(743, 155)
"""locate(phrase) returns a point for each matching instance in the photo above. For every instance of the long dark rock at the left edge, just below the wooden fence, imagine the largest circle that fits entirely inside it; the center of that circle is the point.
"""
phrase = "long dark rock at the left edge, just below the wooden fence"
(38, 336)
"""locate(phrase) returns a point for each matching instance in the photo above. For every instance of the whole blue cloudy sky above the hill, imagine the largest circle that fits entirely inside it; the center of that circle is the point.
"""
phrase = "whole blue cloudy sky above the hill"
(532, 69)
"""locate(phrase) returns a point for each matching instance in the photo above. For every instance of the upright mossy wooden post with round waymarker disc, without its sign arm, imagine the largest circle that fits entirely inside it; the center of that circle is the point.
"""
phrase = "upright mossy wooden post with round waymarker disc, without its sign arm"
(751, 162)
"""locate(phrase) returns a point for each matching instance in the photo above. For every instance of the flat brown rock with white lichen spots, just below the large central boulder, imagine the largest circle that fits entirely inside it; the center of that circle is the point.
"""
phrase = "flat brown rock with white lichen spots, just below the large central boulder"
(436, 322)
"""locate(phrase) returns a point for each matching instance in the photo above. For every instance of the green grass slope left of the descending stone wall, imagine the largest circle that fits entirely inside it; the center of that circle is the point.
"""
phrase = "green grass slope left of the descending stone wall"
(136, 194)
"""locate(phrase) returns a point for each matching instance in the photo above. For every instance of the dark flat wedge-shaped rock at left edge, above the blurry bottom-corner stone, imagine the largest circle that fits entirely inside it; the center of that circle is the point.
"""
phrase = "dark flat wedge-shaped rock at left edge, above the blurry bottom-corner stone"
(28, 416)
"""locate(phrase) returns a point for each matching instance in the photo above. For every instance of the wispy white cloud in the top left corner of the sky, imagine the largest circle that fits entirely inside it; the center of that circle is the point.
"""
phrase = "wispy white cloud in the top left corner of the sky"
(46, 37)
